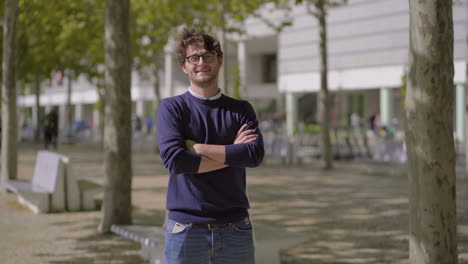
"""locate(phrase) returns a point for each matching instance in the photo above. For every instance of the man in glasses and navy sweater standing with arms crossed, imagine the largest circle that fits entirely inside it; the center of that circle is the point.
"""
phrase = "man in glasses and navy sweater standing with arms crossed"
(206, 140)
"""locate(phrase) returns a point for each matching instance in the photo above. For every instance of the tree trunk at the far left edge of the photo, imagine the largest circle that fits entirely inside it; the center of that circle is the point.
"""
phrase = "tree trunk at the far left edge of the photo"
(9, 122)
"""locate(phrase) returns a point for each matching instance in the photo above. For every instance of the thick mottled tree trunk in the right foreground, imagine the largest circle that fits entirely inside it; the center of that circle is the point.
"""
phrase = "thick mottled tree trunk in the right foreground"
(429, 134)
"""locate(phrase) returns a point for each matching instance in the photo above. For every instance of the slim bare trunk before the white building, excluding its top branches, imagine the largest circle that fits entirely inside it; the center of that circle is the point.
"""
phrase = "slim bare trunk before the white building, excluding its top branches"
(324, 97)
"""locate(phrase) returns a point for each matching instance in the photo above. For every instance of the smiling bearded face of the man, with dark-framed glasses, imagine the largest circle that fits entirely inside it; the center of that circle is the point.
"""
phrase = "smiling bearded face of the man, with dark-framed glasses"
(201, 72)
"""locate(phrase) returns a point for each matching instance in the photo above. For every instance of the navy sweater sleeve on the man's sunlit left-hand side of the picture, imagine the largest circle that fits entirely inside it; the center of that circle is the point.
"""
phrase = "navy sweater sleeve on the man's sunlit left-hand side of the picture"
(171, 141)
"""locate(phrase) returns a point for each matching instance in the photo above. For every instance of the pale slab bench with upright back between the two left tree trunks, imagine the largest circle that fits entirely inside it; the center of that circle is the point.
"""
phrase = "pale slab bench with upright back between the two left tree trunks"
(52, 188)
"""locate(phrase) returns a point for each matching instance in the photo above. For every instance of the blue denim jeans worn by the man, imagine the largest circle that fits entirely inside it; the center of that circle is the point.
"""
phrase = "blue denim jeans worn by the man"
(196, 244)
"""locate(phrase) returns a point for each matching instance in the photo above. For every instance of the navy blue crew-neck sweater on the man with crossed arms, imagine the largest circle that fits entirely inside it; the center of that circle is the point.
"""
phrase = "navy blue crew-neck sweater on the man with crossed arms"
(212, 197)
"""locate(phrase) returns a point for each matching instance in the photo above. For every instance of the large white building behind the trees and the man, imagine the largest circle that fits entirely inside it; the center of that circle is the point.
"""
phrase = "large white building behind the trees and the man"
(367, 52)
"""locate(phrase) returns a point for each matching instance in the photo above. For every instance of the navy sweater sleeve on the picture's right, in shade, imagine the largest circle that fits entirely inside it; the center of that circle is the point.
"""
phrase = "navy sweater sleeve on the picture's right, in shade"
(246, 154)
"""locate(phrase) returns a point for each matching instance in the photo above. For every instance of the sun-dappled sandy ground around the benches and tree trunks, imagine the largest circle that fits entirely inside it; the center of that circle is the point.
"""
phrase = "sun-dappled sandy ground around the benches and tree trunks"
(354, 214)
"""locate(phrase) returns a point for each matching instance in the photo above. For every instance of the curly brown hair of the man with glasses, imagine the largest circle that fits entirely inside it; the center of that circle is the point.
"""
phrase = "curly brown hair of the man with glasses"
(191, 36)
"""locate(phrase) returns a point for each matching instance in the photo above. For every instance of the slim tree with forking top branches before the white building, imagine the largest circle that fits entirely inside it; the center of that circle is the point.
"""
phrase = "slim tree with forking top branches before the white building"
(319, 9)
